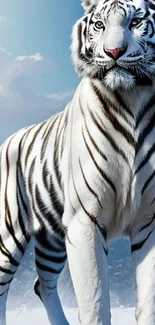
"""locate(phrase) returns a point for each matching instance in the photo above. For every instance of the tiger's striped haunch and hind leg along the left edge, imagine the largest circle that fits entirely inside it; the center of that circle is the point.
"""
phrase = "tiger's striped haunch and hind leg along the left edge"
(14, 215)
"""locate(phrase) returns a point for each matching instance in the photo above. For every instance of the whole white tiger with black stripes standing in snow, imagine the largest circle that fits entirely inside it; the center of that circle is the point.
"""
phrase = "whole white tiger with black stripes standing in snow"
(87, 174)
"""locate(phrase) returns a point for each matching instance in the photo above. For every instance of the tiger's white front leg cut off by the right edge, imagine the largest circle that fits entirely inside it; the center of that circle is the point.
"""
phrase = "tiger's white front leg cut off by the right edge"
(143, 255)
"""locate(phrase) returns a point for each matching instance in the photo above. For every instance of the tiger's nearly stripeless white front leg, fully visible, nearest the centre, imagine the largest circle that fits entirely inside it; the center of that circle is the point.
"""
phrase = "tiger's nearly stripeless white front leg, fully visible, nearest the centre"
(86, 249)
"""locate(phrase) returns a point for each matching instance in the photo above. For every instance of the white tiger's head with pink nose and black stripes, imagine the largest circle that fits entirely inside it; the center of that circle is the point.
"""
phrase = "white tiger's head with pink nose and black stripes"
(115, 42)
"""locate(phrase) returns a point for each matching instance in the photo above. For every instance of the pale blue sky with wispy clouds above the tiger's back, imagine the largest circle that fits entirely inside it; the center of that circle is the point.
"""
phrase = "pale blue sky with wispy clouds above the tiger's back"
(37, 77)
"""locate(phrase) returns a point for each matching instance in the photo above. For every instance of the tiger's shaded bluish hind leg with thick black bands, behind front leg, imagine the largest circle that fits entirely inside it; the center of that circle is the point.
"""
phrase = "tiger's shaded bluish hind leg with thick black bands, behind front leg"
(50, 257)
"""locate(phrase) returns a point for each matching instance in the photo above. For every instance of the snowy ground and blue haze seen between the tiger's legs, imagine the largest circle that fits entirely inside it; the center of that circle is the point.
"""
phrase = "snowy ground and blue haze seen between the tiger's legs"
(24, 307)
